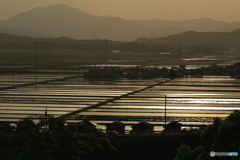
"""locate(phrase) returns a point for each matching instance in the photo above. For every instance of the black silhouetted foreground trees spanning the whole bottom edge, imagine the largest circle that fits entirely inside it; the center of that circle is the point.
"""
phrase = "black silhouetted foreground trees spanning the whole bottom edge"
(51, 139)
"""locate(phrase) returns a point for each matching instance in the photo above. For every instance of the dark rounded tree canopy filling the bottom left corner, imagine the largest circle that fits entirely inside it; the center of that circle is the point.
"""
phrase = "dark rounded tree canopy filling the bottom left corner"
(30, 141)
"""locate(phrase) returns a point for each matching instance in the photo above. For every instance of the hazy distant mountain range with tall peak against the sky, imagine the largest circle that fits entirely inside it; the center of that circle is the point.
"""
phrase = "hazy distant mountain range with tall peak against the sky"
(63, 21)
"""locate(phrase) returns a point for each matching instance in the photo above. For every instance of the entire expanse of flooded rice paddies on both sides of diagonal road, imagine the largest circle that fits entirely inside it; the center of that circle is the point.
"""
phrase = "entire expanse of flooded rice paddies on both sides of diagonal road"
(191, 101)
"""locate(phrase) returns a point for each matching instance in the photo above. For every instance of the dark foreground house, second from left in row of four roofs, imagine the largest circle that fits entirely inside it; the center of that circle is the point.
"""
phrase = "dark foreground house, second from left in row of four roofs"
(116, 126)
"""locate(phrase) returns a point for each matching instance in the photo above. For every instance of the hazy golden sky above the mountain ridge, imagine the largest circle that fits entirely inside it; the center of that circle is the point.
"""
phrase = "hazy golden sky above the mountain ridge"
(224, 10)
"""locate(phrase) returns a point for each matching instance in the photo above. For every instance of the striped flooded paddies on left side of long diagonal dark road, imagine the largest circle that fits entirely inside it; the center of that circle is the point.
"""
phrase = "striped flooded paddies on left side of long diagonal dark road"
(61, 97)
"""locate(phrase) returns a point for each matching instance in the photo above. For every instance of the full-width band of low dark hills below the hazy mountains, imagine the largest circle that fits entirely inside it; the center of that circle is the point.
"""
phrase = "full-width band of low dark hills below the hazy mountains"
(192, 38)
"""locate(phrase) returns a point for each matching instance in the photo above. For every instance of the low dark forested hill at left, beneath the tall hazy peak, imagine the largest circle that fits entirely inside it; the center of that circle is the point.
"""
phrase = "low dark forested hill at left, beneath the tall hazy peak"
(8, 41)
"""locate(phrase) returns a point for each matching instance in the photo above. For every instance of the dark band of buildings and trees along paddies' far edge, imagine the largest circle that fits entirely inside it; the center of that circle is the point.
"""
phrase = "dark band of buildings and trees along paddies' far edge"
(152, 72)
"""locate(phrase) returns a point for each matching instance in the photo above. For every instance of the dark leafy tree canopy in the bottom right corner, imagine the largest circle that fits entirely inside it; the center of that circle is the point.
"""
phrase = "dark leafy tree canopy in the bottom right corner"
(221, 136)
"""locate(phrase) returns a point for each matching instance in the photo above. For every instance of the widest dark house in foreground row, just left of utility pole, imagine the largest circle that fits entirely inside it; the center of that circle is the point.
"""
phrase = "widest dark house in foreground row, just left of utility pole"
(142, 128)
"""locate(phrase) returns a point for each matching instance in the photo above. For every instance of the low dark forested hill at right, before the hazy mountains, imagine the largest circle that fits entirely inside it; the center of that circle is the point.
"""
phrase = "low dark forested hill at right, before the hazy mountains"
(230, 39)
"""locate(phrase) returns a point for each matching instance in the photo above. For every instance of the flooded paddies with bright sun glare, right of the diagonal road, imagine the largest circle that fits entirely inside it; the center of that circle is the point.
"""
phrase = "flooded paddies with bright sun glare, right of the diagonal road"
(199, 98)
